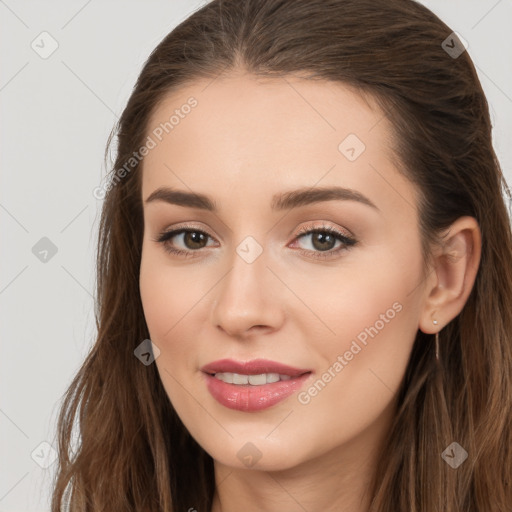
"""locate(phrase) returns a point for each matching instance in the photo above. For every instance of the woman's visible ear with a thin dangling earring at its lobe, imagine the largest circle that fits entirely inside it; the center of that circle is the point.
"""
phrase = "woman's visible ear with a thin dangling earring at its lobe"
(450, 282)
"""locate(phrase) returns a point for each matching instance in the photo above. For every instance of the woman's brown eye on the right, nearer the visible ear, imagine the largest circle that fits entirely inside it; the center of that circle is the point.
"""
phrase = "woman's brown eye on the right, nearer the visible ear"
(322, 241)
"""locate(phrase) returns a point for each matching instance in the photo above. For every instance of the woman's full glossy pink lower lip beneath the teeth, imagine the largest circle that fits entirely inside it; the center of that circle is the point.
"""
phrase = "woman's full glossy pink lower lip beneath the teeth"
(251, 398)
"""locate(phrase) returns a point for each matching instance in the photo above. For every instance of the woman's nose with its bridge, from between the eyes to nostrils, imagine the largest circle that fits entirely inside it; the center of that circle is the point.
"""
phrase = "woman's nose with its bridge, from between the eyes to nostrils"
(247, 297)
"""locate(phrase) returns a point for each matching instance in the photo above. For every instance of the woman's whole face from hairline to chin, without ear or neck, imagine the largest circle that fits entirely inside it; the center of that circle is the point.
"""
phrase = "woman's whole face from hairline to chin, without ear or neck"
(278, 159)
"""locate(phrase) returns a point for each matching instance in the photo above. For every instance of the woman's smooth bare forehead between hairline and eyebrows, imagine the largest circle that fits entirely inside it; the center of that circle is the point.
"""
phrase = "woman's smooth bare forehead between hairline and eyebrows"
(267, 134)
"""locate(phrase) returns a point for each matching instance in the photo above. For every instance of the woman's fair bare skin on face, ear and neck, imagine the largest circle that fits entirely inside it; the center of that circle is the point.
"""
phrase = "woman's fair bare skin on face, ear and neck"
(247, 139)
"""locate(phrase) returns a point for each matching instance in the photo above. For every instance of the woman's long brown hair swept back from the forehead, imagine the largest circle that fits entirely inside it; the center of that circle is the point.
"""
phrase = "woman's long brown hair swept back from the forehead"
(134, 453)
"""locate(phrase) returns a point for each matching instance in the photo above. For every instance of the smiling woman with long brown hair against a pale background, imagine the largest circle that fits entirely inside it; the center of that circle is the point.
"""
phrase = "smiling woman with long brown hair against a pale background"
(304, 274)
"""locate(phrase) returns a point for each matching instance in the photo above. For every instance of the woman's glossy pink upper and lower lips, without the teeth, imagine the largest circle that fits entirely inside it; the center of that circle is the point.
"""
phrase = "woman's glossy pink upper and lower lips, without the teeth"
(247, 397)
